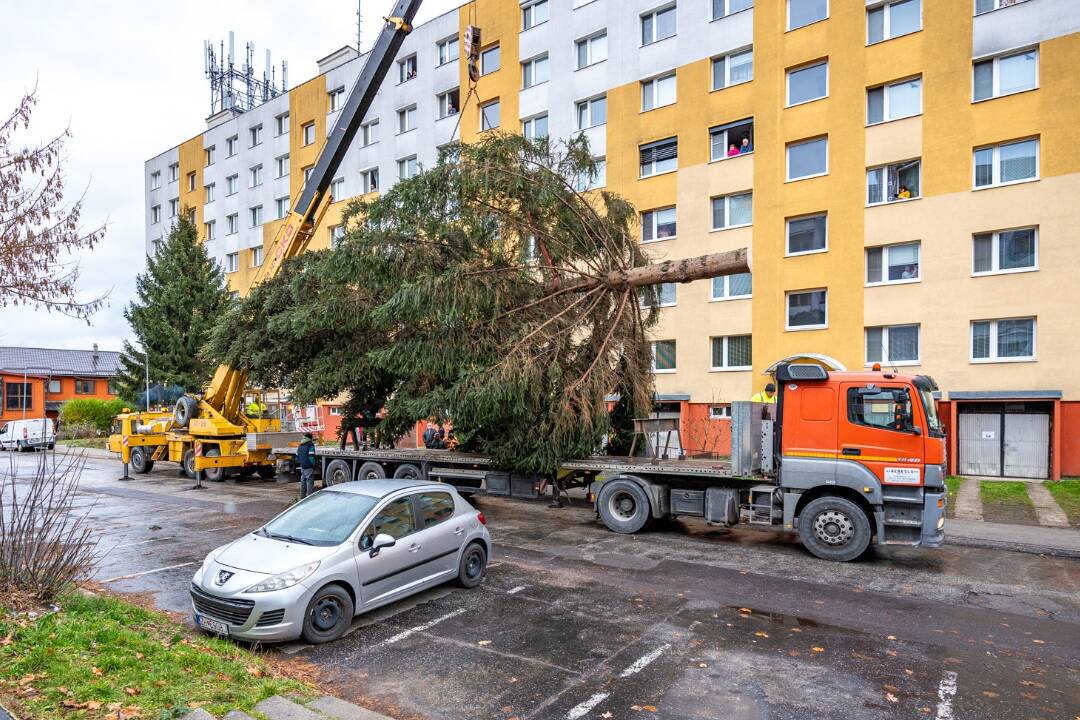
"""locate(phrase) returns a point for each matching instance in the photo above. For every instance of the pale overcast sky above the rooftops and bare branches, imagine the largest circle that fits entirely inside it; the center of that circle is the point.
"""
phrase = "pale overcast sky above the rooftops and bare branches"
(127, 78)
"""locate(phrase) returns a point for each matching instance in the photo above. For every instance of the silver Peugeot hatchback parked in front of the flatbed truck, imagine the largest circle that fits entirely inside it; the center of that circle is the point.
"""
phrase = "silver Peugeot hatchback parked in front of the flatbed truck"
(337, 554)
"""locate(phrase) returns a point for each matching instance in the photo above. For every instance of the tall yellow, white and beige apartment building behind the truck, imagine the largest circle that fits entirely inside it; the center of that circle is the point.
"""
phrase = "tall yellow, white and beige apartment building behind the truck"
(904, 173)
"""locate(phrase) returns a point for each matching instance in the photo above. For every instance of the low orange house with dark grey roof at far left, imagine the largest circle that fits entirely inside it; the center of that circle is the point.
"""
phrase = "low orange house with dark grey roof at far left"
(36, 382)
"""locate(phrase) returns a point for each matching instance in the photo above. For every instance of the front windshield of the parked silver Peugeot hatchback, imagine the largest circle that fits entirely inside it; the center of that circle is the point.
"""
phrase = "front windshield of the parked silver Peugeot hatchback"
(325, 519)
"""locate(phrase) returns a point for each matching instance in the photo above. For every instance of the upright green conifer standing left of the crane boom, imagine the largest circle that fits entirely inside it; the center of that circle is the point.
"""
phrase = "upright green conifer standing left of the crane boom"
(180, 297)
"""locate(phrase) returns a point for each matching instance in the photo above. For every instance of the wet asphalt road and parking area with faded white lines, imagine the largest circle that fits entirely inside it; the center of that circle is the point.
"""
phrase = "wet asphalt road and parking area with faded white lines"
(683, 622)
